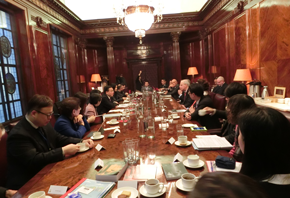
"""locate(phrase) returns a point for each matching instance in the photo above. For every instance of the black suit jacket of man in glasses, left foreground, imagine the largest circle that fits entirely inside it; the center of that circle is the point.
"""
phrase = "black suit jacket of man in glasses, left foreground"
(28, 152)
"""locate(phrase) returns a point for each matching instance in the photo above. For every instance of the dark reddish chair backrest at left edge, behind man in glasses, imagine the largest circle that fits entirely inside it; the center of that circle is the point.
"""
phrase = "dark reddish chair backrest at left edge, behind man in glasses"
(3, 160)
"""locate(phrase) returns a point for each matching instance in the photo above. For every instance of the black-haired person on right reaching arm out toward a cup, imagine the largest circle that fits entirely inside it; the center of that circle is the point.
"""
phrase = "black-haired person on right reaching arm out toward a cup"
(228, 129)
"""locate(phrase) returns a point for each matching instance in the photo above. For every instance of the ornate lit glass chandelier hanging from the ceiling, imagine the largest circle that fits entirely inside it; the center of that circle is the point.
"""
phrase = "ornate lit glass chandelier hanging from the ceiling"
(138, 15)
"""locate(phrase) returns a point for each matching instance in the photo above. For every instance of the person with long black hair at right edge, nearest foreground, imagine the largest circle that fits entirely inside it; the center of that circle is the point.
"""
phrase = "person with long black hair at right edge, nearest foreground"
(264, 140)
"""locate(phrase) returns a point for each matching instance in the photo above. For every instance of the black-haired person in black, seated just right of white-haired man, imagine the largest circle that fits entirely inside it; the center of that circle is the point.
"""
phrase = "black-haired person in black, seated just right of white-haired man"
(201, 101)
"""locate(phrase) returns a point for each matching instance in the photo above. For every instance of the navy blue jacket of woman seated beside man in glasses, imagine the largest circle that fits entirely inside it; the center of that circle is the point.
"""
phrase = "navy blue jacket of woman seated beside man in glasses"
(65, 126)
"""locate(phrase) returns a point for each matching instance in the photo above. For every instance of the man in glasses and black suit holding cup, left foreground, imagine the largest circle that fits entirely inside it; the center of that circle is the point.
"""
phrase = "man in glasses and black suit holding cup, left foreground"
(33, 143)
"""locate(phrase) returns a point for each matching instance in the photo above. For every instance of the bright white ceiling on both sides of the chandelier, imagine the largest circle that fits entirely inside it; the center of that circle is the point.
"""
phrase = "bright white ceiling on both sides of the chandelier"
(102, 9)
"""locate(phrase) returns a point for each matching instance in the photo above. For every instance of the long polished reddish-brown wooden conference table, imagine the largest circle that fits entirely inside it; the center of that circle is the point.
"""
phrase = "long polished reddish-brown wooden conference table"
(69, 171)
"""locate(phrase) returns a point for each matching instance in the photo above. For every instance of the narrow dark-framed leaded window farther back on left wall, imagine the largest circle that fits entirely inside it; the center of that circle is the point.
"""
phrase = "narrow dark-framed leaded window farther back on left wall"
(59, 44)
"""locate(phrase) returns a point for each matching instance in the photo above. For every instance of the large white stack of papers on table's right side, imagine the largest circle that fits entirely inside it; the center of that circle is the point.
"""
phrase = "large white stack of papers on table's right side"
(210, 142)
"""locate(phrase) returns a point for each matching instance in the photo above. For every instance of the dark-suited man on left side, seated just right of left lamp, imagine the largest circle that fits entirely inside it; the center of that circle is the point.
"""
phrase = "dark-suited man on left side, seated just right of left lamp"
(107, 100)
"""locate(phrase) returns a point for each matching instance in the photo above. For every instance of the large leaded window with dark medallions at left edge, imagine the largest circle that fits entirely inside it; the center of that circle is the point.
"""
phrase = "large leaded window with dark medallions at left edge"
(10, 98)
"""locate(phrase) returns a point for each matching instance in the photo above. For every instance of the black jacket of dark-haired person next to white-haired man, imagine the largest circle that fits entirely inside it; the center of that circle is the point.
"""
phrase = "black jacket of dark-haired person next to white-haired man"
(210, 122)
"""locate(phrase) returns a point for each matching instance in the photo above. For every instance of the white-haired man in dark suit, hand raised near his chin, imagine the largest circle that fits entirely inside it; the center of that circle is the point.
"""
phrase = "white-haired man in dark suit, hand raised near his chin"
(184, 97)
